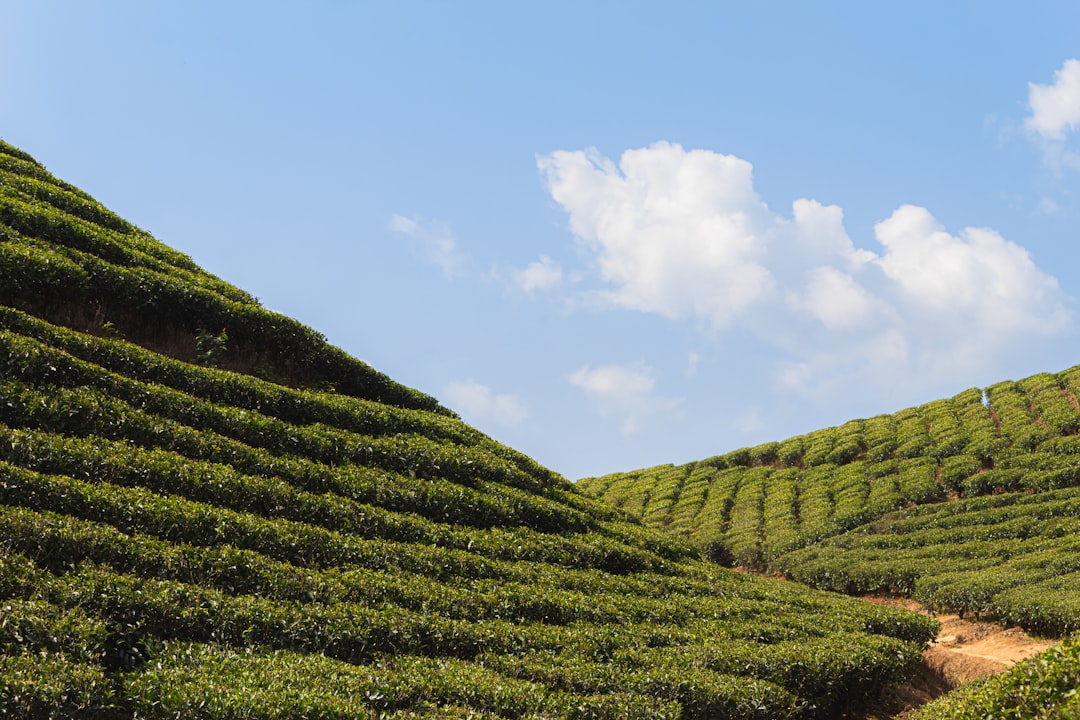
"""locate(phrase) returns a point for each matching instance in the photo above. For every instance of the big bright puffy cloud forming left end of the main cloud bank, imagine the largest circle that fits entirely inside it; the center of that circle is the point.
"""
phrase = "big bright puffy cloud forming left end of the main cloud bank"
(674, 233)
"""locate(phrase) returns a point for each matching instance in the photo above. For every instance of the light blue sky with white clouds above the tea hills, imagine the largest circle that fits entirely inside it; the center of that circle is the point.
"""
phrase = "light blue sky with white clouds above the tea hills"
(611, 235)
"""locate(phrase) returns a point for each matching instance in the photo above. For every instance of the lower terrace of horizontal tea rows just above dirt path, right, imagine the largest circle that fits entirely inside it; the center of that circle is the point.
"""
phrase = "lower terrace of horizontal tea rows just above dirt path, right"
(1011, 558)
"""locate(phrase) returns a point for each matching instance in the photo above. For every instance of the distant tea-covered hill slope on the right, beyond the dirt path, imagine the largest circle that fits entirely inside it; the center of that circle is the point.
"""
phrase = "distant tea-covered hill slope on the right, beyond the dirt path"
(970, 505)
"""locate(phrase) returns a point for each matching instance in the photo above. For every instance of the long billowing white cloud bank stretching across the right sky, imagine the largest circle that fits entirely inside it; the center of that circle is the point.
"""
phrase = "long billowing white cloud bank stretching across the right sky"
(685, 236)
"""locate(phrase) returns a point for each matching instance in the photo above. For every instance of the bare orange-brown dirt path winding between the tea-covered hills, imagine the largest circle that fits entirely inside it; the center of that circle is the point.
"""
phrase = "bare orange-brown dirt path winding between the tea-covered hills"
(965, 650)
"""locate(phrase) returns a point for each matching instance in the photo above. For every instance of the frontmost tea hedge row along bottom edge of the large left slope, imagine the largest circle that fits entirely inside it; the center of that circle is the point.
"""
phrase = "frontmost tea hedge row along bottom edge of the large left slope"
(220, 683)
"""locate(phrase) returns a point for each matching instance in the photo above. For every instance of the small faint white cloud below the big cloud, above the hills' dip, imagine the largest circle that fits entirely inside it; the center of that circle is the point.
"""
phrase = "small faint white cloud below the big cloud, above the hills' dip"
(626, 391)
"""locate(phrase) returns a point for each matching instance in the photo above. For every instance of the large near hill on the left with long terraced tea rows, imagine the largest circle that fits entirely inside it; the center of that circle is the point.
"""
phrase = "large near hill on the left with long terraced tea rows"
(292, 535)
